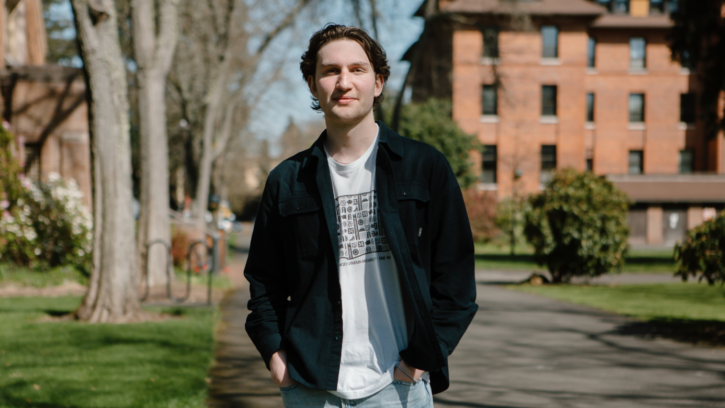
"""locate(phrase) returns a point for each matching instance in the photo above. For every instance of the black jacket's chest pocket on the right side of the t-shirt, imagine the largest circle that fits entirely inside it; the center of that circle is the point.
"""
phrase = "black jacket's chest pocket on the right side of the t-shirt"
(413, 201)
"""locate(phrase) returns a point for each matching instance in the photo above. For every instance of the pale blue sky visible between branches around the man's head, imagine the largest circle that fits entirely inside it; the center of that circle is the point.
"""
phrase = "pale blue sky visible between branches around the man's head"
(289, 97)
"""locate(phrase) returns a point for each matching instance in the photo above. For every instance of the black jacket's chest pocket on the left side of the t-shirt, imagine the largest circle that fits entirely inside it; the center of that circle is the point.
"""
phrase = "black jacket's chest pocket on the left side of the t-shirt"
(301, 219)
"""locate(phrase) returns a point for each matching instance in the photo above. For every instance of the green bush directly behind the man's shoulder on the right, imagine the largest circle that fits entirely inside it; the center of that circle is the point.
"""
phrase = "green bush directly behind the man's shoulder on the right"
(432, 122)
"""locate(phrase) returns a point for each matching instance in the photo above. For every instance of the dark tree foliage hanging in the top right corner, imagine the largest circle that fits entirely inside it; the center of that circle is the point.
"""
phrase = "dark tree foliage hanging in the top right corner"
(698, 41)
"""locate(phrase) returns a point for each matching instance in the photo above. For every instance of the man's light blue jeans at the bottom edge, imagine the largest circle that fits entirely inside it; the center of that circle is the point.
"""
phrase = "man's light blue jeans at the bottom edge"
(398, 394)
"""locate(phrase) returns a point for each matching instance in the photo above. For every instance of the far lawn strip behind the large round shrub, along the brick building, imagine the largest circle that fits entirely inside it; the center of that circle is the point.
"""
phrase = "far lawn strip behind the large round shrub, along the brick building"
(489, 256)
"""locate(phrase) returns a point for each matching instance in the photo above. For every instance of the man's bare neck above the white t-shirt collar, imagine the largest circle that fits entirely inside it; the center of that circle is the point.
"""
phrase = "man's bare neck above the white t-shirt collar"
(347, 142)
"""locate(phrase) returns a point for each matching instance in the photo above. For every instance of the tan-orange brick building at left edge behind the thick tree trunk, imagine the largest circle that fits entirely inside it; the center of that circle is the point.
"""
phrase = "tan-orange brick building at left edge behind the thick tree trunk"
(45, 105)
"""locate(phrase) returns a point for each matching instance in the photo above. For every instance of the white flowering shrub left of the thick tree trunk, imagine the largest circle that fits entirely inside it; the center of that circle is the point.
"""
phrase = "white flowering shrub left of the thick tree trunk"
(48, 225)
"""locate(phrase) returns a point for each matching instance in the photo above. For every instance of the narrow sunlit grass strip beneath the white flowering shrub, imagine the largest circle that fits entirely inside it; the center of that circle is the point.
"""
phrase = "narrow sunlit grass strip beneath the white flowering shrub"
(27, 277)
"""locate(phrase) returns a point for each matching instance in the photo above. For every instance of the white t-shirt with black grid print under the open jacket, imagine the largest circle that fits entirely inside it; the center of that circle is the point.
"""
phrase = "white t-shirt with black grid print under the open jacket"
(373, 316)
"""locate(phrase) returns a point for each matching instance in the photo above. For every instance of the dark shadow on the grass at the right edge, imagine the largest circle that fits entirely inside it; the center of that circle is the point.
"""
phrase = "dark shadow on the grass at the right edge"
(704, 332)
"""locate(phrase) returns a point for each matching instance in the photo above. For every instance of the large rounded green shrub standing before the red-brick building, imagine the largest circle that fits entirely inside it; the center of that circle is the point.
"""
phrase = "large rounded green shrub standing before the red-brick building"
(578, 225)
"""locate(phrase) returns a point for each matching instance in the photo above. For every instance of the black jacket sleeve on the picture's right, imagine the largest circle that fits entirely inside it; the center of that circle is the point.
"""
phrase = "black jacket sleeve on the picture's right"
(453, 283)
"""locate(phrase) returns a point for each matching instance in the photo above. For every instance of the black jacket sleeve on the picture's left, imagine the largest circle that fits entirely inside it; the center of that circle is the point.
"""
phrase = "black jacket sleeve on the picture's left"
(267, 279)
